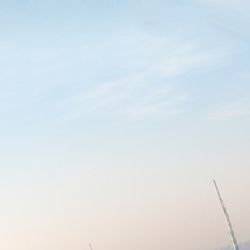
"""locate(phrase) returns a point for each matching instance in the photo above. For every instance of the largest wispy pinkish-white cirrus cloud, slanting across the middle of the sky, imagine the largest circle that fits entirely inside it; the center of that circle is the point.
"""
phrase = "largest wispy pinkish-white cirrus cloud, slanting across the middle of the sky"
(147, 90)
